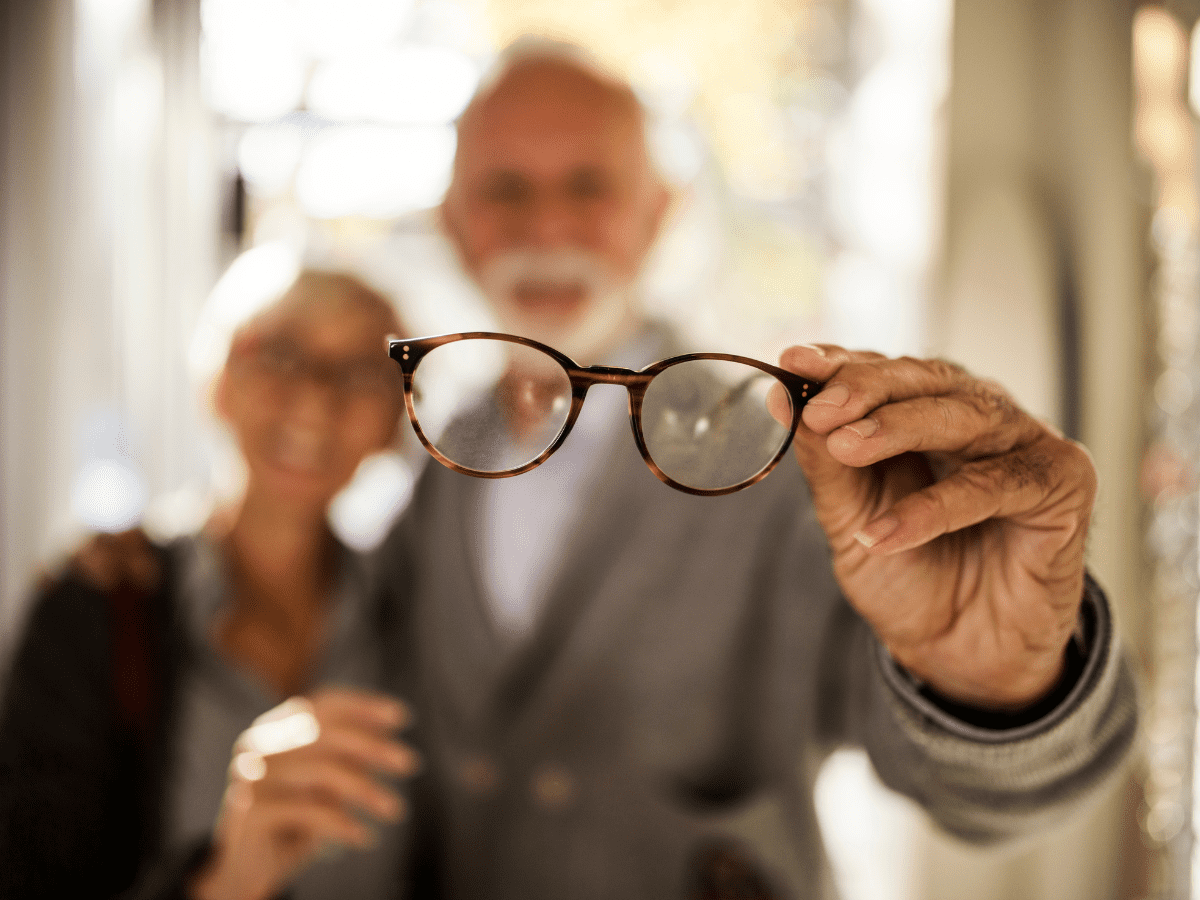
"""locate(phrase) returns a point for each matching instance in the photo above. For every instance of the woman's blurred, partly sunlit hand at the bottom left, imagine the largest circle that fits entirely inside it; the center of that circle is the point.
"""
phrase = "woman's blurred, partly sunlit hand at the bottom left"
(284, 808)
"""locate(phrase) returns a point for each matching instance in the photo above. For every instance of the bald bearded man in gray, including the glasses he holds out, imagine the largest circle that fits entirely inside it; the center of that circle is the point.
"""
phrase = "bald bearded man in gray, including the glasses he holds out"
(628, 691)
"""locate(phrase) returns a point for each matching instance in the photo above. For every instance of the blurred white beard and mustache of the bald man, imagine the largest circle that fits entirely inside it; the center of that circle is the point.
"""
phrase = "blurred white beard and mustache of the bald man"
(584, 334)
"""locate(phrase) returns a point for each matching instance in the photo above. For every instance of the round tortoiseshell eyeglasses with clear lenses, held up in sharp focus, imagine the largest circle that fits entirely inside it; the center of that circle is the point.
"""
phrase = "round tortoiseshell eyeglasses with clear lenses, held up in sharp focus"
(495, 406)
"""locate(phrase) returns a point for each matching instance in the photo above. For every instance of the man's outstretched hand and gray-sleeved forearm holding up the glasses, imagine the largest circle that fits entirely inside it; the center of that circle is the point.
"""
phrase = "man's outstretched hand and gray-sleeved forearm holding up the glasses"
(979, 664)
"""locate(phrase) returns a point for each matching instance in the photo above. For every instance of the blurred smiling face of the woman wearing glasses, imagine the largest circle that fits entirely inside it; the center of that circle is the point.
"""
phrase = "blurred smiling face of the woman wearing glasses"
(309, 392)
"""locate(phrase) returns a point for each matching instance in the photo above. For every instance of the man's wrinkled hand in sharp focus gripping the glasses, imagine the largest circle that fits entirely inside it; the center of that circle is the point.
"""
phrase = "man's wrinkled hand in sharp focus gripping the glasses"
(957, 521)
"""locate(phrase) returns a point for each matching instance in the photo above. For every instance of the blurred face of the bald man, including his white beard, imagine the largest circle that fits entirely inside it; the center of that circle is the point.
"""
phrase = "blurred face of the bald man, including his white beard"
(555, 206)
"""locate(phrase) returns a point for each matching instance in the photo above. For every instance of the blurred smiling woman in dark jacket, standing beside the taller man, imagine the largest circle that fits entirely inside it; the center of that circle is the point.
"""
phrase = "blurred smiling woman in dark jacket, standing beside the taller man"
(124, 706)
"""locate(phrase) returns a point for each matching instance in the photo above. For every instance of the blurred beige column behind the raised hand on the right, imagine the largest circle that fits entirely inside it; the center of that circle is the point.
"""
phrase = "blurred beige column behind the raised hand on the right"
(1047, 203)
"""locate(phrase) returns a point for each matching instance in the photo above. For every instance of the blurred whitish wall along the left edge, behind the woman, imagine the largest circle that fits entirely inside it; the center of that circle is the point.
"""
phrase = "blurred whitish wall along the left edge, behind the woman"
(107, 247)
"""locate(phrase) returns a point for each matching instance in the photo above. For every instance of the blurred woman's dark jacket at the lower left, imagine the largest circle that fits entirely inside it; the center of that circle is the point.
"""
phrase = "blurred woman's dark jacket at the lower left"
(87, 733)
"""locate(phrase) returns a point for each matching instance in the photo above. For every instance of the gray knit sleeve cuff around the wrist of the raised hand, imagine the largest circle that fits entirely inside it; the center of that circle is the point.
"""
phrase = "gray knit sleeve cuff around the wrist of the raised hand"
(985, 783)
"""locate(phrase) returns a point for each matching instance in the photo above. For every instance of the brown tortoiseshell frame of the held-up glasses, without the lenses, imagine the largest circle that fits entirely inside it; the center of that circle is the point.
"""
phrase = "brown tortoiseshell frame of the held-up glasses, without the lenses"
(410, 353)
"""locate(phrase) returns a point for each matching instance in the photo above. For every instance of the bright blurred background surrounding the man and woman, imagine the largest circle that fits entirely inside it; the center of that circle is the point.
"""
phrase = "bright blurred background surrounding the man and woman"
(1011, 185)
